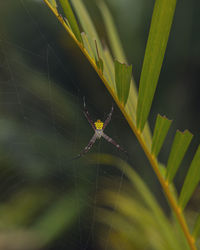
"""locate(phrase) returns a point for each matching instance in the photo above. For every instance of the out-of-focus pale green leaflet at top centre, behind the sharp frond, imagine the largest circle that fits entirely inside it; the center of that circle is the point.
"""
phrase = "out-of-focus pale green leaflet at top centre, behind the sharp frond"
(112, 33)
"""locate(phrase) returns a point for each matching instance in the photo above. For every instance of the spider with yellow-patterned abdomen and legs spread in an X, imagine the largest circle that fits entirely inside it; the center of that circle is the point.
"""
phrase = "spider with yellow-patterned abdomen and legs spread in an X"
(98, 128)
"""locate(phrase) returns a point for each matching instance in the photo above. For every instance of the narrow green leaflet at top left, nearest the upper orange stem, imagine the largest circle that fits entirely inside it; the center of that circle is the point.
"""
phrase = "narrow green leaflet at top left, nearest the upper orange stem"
(71, 19)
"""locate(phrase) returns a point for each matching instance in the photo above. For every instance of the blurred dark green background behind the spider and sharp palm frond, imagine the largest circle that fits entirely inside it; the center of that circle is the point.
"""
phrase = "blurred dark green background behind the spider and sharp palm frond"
(47, 200)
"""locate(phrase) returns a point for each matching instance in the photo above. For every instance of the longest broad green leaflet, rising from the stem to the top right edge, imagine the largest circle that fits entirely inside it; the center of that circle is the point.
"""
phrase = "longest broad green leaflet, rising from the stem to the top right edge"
(156, 45)
